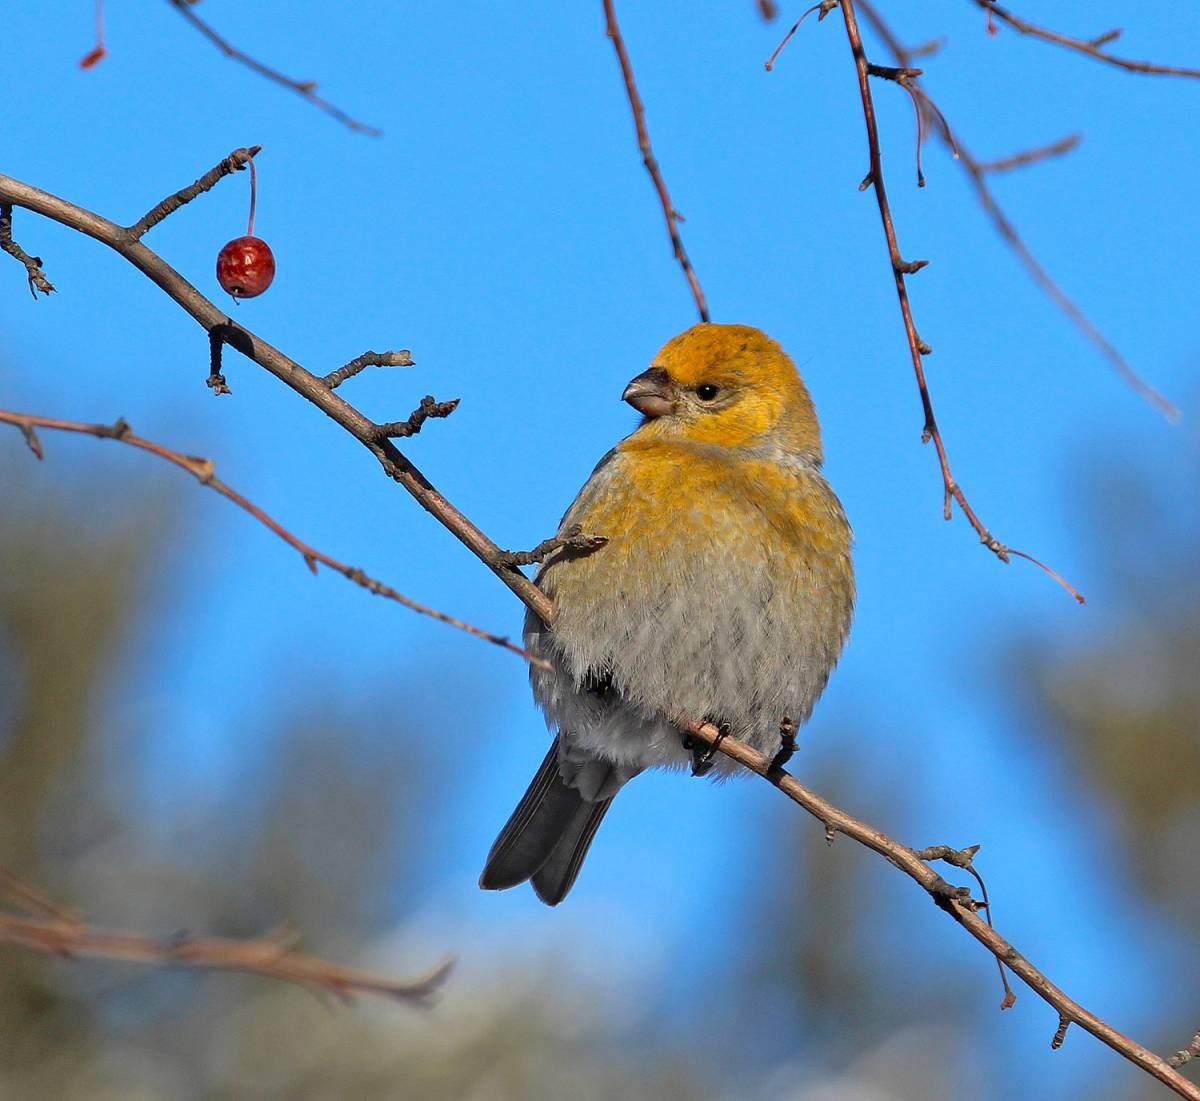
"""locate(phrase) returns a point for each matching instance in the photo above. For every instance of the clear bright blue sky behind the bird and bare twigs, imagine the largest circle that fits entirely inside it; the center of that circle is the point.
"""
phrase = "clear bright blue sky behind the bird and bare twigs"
(505, 231)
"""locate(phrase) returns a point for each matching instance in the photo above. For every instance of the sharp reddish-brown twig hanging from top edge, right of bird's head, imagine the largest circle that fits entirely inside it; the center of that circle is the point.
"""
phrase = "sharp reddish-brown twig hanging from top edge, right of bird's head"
(899, 269)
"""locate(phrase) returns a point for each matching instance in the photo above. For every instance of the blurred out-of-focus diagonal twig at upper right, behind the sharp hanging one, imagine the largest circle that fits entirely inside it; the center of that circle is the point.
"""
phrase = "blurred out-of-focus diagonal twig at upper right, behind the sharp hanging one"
(977, 173)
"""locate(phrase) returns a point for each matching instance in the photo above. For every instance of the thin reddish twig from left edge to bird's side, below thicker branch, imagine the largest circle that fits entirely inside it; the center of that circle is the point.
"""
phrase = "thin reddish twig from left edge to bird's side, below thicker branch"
(202, 470)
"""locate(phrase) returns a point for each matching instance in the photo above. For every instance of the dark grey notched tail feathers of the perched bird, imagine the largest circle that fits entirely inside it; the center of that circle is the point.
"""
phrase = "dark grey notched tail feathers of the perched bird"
(548, 837)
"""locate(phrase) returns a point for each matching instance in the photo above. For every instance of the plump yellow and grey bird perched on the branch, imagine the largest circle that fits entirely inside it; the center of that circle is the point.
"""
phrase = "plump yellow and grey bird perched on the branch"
(724, 592)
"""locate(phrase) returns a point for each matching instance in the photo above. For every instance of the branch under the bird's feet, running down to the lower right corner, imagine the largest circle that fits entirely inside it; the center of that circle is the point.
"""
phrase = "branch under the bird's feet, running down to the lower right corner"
(955, 901)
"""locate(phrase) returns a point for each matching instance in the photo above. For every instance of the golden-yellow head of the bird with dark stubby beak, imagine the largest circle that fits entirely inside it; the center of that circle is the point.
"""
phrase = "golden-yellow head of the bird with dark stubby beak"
(729, 386)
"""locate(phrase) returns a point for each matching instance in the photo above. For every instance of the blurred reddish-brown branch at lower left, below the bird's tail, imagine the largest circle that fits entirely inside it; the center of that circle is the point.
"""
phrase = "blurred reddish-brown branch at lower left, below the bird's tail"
(57, 932)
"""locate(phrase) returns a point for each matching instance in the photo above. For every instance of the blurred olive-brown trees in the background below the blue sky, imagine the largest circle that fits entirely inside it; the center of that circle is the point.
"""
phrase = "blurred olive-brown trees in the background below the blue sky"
(824, 1000)
